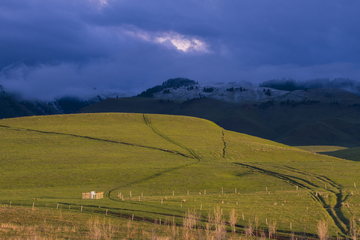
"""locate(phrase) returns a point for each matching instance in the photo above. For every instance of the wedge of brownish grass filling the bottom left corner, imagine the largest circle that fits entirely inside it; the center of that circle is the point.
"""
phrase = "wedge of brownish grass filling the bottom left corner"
(28, 223)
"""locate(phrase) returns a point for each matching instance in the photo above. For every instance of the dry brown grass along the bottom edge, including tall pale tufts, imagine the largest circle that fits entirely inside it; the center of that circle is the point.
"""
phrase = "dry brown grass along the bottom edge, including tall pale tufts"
(48, 225)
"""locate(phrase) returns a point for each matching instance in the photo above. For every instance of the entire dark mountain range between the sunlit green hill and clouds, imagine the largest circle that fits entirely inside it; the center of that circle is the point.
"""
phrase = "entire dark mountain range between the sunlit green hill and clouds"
(314, 116)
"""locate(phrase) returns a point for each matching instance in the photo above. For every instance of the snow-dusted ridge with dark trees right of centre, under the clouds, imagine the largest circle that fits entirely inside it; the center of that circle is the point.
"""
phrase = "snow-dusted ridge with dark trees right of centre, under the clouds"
(182, 89)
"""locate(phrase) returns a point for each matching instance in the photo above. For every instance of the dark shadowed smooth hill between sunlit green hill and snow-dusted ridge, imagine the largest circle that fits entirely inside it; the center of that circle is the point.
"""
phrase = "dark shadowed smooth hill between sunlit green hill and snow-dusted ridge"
(292, 123)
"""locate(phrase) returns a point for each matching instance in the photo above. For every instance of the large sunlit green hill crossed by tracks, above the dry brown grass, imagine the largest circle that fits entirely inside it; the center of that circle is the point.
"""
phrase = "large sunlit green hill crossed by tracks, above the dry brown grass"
(153, 167)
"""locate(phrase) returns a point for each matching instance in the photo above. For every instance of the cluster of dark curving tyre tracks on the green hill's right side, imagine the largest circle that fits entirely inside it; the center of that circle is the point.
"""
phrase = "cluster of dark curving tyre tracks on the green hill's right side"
(334, 212)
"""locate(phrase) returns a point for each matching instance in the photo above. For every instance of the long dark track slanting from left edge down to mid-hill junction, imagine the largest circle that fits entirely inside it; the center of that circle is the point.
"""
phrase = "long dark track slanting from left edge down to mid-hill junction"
(97, 139)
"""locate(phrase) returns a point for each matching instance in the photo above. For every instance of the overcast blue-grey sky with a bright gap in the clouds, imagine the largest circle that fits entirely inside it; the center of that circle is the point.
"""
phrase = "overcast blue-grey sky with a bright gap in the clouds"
(57, 47)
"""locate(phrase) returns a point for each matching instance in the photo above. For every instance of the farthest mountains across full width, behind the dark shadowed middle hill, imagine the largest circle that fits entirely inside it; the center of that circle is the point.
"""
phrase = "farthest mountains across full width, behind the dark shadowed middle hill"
(183, 89)
